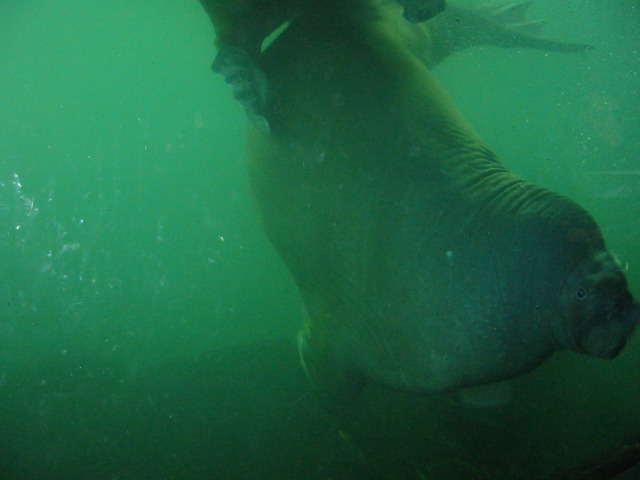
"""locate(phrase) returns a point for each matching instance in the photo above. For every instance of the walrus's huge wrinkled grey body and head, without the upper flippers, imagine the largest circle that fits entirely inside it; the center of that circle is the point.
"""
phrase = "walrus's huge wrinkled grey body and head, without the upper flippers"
(424, 264)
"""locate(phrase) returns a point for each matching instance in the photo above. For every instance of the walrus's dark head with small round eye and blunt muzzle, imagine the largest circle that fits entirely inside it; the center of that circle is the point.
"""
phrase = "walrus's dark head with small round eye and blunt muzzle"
(598, 309)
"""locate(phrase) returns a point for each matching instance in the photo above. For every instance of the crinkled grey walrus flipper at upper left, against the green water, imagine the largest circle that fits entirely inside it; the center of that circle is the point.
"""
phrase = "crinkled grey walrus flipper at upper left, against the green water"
(248, 83)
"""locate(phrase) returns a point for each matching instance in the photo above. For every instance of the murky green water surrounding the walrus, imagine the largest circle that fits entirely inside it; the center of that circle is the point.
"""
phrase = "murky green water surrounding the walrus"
(147, 327)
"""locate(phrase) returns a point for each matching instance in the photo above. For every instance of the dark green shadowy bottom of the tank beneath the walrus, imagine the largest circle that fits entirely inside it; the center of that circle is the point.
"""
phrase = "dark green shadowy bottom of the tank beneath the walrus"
(248, 413)
